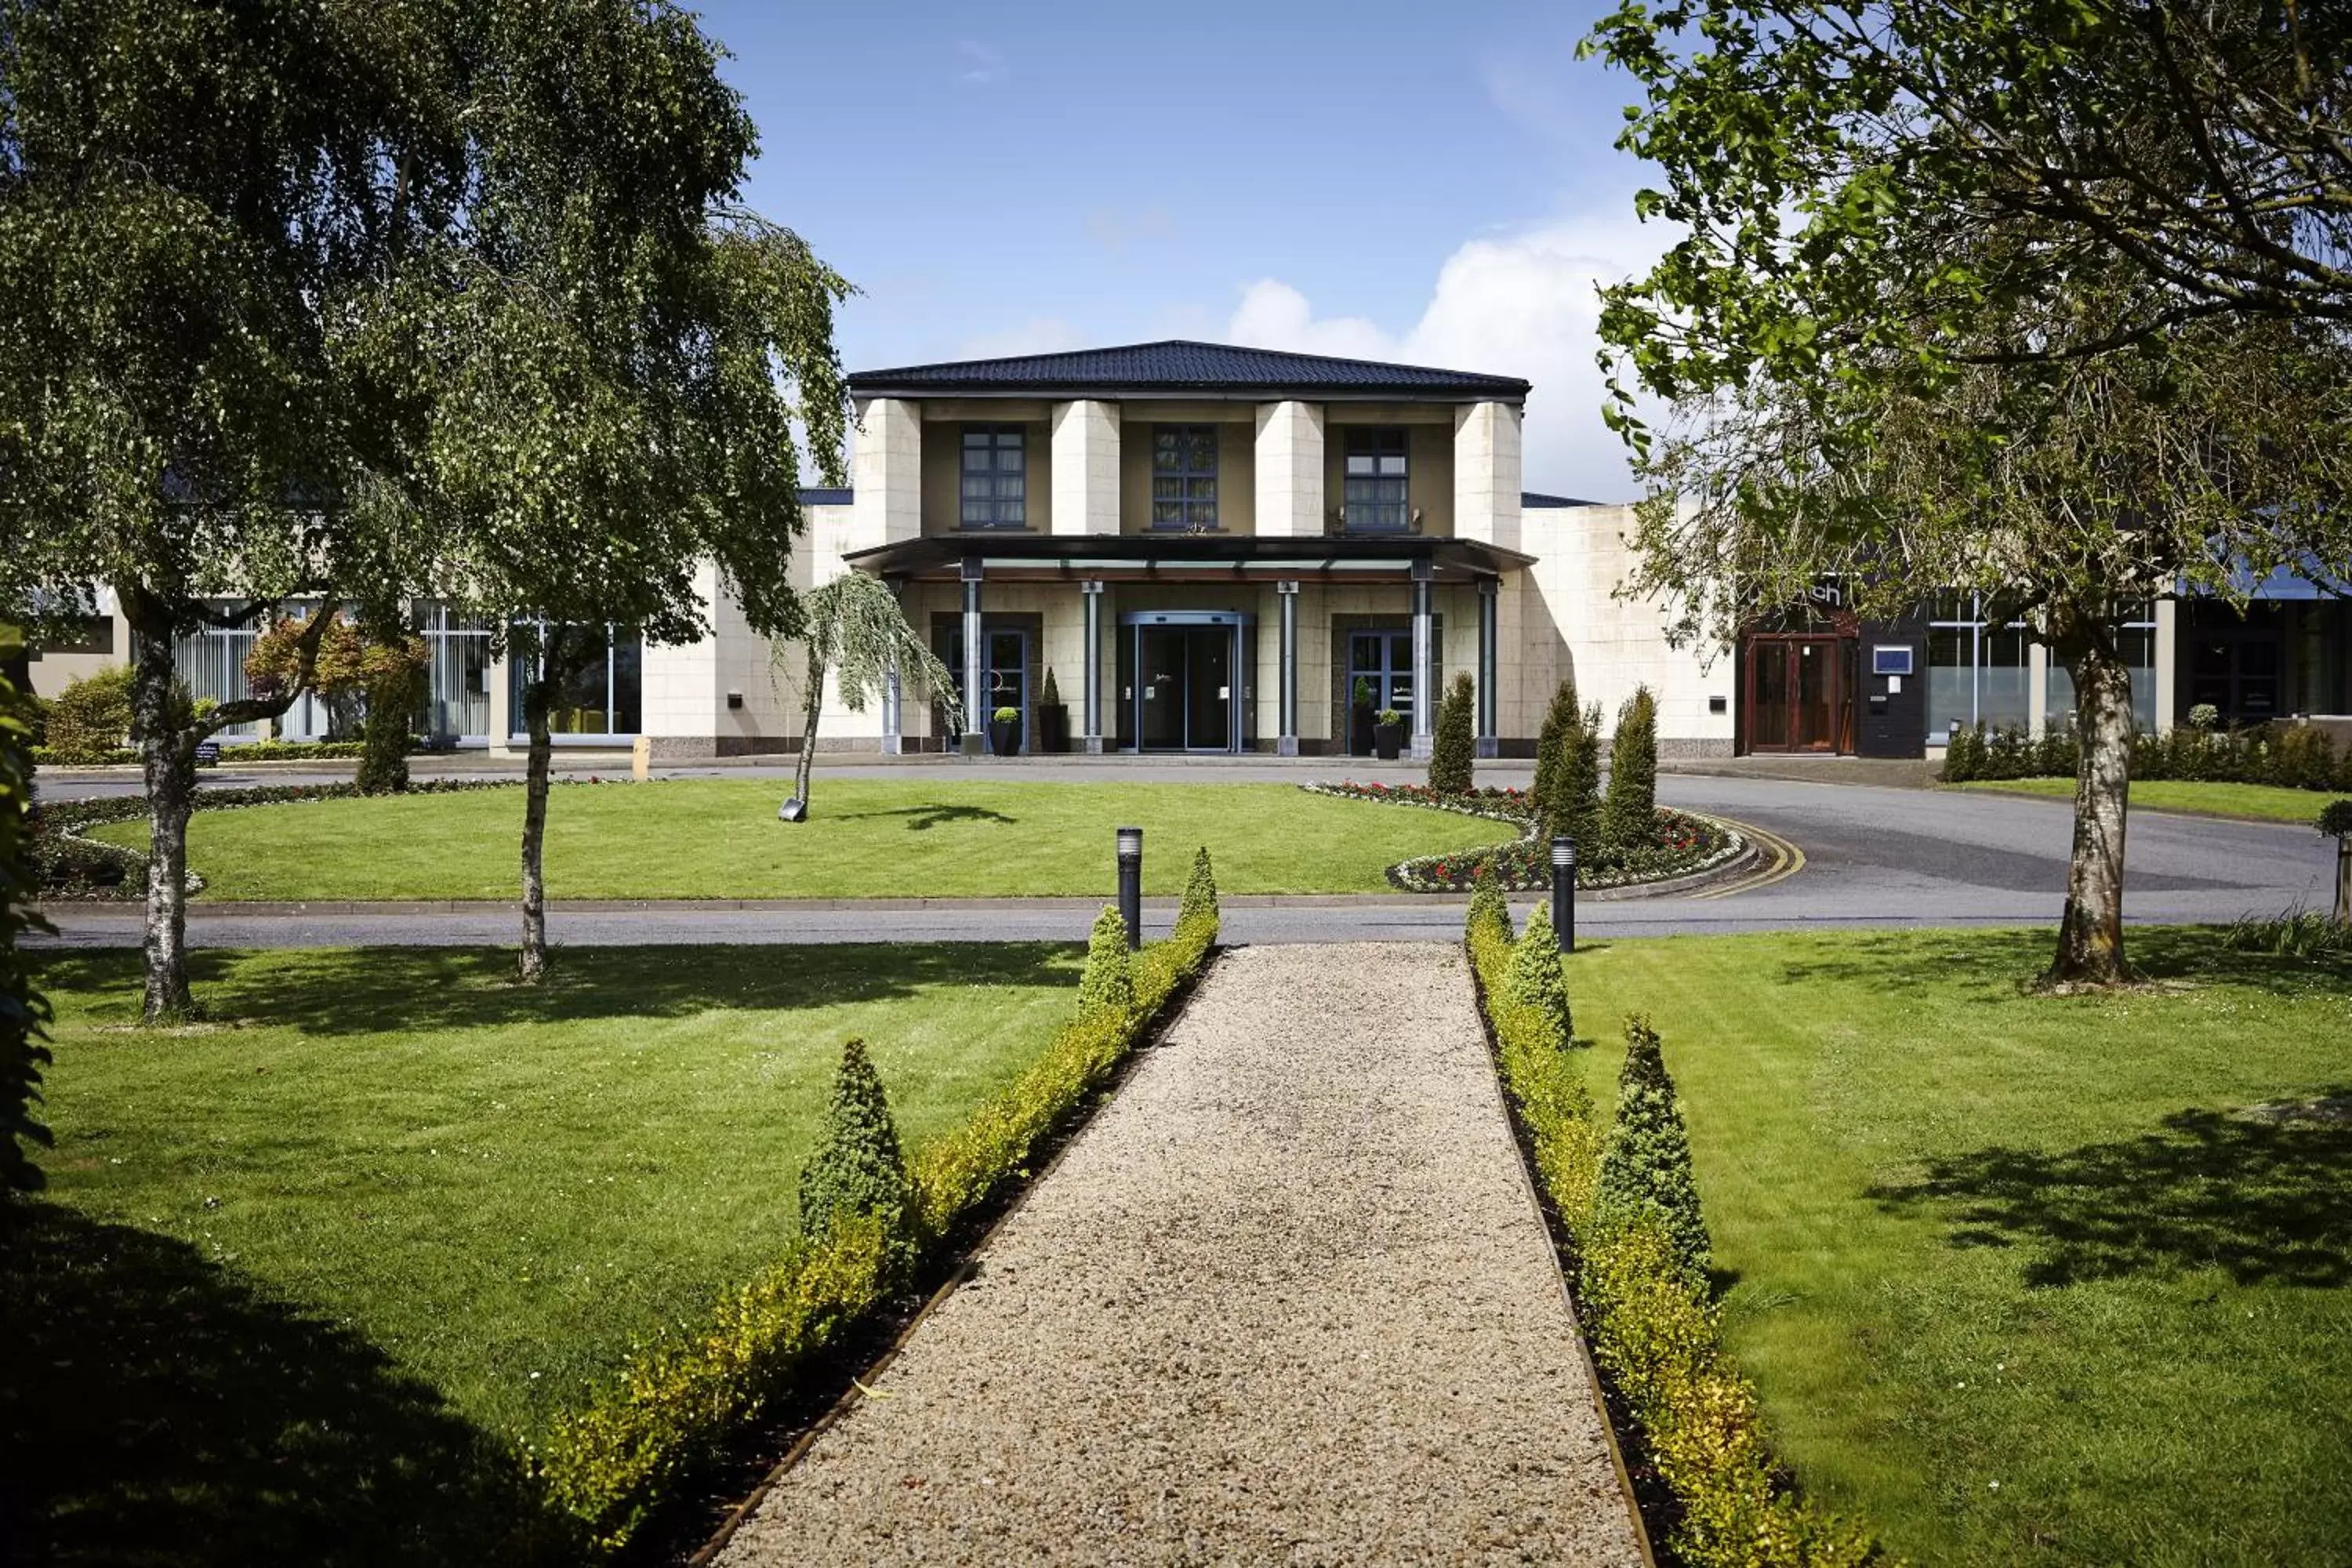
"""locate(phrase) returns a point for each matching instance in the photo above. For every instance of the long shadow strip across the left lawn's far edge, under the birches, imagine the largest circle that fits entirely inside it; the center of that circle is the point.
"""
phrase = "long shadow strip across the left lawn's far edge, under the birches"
(361, 991)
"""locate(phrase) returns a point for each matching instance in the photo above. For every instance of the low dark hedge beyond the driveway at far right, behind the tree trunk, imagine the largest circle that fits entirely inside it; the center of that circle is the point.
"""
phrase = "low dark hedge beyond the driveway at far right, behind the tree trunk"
(2285, 756)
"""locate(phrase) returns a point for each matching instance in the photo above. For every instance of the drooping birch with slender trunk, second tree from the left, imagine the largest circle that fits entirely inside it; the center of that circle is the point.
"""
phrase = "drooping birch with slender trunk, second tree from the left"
(613, 359)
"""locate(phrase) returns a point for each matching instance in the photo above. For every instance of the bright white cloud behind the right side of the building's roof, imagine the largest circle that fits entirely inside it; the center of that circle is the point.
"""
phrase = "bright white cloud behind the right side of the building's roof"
(1511, 307)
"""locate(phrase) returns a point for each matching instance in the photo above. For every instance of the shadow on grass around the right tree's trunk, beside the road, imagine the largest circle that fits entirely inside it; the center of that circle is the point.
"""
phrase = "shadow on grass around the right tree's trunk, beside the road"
(2003, 963)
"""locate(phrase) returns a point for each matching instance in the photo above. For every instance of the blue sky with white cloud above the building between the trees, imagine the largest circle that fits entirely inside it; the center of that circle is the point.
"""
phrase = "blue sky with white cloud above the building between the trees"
(1429, 182)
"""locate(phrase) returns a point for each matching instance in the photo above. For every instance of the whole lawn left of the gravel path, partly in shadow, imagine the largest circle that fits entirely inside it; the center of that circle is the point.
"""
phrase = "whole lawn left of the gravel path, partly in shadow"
(389, 1179)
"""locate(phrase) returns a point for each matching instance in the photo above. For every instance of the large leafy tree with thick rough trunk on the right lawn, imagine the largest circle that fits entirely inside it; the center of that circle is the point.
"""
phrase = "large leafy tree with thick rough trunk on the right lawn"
(1876, 370)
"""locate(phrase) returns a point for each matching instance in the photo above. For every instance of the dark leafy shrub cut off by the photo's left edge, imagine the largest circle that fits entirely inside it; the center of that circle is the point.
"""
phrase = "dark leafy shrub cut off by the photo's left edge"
(25, 1014)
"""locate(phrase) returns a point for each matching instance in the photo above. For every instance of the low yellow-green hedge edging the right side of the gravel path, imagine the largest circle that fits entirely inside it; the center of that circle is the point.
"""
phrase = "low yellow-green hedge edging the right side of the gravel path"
(1650, 1325)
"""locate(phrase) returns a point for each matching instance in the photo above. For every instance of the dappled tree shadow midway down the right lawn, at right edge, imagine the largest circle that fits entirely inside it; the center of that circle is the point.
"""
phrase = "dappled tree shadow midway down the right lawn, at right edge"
(2261, 1200)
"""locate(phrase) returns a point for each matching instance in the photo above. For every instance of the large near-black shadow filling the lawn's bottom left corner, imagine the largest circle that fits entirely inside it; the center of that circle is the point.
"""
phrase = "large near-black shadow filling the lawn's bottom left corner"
(156, 1409)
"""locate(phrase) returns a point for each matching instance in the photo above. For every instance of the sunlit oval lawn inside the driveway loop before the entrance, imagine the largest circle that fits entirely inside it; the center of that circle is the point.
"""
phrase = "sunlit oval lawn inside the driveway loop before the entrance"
(869, 840)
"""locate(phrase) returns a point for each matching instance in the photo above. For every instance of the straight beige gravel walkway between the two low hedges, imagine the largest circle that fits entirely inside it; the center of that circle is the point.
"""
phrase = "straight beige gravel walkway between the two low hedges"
(1285, 1301)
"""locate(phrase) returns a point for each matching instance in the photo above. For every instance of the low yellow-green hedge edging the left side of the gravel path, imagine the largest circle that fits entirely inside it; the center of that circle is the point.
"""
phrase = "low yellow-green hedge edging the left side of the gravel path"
(683, 1395)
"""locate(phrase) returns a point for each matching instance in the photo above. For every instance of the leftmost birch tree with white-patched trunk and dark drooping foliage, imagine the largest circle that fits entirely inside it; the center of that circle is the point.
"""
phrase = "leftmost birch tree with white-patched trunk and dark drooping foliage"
(201, 210)
